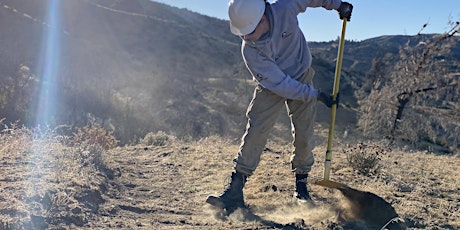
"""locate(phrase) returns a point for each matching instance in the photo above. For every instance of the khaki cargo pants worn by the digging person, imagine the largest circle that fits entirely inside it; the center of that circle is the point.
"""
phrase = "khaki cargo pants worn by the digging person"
(262, 114)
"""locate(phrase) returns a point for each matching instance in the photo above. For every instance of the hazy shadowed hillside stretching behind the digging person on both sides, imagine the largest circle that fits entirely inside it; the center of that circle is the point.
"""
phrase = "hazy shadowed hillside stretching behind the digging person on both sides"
(141, 66)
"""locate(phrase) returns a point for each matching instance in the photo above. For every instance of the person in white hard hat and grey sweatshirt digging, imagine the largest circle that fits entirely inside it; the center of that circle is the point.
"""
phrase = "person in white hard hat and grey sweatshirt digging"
(277, 55)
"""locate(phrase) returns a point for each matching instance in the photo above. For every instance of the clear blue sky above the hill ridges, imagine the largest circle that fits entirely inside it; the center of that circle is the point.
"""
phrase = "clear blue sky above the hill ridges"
(370, 18)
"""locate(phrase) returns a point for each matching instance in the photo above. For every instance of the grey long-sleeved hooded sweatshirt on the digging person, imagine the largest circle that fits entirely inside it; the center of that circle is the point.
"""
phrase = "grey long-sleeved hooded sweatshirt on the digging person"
(281, 56)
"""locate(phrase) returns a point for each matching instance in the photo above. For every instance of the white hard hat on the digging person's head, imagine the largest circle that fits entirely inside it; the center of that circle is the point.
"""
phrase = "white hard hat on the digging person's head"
(245, 15)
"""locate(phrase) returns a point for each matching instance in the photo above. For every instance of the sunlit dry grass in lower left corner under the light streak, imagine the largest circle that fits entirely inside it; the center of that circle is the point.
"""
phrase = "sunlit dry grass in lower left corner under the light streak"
(45, 183)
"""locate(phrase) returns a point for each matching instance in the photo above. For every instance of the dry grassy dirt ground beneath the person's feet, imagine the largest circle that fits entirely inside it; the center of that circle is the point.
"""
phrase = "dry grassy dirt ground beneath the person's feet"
(45, 184)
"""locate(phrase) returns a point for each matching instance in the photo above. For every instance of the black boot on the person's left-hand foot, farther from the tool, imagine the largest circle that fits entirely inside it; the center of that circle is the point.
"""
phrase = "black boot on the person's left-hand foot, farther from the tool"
(232, 198)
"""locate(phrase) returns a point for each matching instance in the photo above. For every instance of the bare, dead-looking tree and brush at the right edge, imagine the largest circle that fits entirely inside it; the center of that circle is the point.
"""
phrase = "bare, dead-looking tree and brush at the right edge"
(415, 98)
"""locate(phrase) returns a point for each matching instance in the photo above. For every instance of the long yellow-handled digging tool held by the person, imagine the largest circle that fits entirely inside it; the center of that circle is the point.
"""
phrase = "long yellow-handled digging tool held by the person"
(327, 164)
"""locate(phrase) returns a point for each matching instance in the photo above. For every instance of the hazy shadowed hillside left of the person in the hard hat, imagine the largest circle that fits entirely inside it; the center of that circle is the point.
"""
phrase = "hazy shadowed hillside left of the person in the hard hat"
(129, 60)
